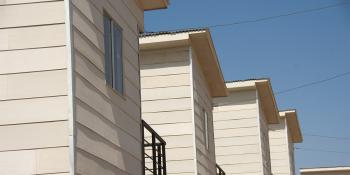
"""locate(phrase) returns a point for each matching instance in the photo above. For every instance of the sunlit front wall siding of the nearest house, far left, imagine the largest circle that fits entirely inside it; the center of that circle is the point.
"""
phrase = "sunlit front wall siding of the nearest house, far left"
(33, 88)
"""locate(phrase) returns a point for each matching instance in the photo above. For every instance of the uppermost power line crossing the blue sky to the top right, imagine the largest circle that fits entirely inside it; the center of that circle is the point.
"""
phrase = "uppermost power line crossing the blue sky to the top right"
(279, 16)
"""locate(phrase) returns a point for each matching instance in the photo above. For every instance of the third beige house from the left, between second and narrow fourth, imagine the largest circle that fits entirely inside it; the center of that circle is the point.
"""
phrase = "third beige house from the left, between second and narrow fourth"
(241, 123)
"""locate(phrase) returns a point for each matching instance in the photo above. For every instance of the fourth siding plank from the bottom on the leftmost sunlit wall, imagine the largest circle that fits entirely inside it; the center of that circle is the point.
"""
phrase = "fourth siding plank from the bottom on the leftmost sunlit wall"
(30, 85)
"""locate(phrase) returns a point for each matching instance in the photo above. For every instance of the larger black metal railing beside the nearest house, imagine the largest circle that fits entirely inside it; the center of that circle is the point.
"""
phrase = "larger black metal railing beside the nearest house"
(153, 149)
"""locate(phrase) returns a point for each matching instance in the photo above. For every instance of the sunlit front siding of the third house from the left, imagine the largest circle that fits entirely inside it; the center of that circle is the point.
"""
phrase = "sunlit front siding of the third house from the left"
(236, 124)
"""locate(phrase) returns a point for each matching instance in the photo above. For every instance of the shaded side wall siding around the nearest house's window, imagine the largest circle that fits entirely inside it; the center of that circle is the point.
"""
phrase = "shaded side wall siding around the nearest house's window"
(108, 139)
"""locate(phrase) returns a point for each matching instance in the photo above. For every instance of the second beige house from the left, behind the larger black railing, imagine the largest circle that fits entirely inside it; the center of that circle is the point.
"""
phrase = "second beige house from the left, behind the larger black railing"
(180, 75)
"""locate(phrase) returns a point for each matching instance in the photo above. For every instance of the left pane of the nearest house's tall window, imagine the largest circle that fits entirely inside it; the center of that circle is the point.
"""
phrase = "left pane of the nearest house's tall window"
(108, 48)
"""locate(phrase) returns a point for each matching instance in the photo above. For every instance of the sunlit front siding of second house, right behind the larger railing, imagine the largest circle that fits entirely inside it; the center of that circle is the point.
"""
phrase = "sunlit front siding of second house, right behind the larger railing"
(166, 104)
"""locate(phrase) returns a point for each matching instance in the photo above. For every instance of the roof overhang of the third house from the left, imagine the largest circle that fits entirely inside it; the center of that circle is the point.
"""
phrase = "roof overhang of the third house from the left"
(266, 95)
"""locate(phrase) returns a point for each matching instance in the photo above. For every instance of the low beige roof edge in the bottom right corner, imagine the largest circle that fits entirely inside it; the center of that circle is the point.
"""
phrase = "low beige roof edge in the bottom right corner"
(326, 171)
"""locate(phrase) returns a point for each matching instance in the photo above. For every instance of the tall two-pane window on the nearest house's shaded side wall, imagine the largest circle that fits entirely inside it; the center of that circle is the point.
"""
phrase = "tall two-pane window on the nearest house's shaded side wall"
(113, 36)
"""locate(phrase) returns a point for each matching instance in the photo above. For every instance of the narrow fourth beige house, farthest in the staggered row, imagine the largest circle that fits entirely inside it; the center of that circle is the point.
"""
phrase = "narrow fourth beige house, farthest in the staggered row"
(283, 136)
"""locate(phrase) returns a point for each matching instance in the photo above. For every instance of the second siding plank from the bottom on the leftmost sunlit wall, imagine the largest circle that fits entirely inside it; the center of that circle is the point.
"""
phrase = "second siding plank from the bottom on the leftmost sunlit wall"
(30, 136)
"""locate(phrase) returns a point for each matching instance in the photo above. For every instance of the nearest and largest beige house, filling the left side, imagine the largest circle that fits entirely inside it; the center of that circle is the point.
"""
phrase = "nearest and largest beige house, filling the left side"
(65, 109)
